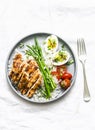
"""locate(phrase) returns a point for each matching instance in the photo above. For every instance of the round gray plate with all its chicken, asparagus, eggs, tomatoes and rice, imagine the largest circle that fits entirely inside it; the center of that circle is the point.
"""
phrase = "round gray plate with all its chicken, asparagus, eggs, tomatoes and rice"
(41, 68)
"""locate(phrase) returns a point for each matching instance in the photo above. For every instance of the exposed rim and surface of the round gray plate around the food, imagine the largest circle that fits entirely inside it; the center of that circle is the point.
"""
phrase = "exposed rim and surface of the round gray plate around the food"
(58, 93)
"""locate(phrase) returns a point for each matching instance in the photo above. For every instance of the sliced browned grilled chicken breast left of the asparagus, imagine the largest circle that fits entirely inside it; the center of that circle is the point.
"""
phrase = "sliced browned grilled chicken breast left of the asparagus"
(26, 75)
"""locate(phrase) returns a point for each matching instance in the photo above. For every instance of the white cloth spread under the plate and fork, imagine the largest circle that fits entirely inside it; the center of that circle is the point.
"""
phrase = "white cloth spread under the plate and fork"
(70, 20)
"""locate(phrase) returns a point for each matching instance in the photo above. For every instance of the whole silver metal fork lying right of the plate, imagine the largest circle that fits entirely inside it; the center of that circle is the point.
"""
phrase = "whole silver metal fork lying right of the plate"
(81, 49)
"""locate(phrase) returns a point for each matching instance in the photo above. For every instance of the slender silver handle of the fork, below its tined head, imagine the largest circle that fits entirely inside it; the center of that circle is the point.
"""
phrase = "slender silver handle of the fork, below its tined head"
(86, 94)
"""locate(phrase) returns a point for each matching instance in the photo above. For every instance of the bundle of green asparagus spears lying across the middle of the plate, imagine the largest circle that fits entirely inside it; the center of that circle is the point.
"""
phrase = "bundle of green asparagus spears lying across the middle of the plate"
(36, 52)
